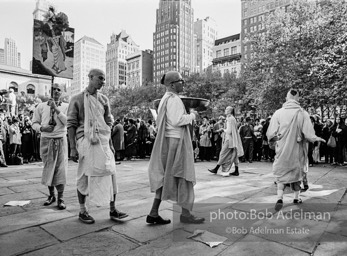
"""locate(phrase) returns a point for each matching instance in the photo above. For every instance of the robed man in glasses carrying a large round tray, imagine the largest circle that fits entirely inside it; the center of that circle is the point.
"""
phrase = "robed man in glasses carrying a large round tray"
(171, 167)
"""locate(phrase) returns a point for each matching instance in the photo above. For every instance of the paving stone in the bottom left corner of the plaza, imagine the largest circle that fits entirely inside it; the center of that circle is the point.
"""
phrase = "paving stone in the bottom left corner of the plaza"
(25, 240)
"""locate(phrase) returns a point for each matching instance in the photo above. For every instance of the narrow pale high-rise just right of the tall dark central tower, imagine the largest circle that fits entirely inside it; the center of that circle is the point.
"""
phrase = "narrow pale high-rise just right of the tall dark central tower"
(206, 34)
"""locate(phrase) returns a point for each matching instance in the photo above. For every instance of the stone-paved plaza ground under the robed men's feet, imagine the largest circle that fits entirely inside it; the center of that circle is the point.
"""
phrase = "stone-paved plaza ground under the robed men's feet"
(38, 230)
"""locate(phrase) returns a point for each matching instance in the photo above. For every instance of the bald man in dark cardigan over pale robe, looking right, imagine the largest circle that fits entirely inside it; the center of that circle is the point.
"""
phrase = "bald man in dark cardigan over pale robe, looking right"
(89, 125)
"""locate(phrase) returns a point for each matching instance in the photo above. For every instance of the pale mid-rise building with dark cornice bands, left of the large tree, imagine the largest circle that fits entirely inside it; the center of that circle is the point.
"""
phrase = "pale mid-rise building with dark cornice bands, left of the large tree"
(227, 55)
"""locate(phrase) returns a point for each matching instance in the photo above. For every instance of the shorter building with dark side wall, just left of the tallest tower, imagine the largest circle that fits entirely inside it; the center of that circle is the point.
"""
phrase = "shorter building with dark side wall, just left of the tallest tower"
(140, 68)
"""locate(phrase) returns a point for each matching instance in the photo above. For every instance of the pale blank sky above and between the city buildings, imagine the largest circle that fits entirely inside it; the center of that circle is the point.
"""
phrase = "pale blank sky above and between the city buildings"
(100, 18)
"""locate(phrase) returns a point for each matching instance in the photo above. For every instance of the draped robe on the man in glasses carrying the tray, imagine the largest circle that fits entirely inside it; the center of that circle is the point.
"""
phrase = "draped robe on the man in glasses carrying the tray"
(172, 162)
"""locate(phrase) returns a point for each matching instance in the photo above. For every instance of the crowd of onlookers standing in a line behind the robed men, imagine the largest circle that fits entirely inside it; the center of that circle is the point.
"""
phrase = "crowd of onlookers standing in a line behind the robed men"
(133, 139)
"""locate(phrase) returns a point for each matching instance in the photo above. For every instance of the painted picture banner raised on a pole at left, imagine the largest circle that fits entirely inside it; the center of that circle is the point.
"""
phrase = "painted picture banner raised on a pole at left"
(53, 46)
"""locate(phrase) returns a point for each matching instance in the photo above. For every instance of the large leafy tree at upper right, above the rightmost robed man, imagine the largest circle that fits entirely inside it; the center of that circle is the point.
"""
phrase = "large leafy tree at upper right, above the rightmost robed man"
(303, 47)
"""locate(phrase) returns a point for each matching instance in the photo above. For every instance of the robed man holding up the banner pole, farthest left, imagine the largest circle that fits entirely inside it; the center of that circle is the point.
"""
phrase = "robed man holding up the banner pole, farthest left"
(53, 145)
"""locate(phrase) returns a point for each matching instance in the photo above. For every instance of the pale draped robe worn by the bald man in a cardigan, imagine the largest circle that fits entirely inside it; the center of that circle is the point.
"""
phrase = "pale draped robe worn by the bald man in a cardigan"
(96, 173)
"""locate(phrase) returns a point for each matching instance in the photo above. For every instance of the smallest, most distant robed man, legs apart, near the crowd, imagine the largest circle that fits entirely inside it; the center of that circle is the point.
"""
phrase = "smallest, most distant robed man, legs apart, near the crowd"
(232, 147)
